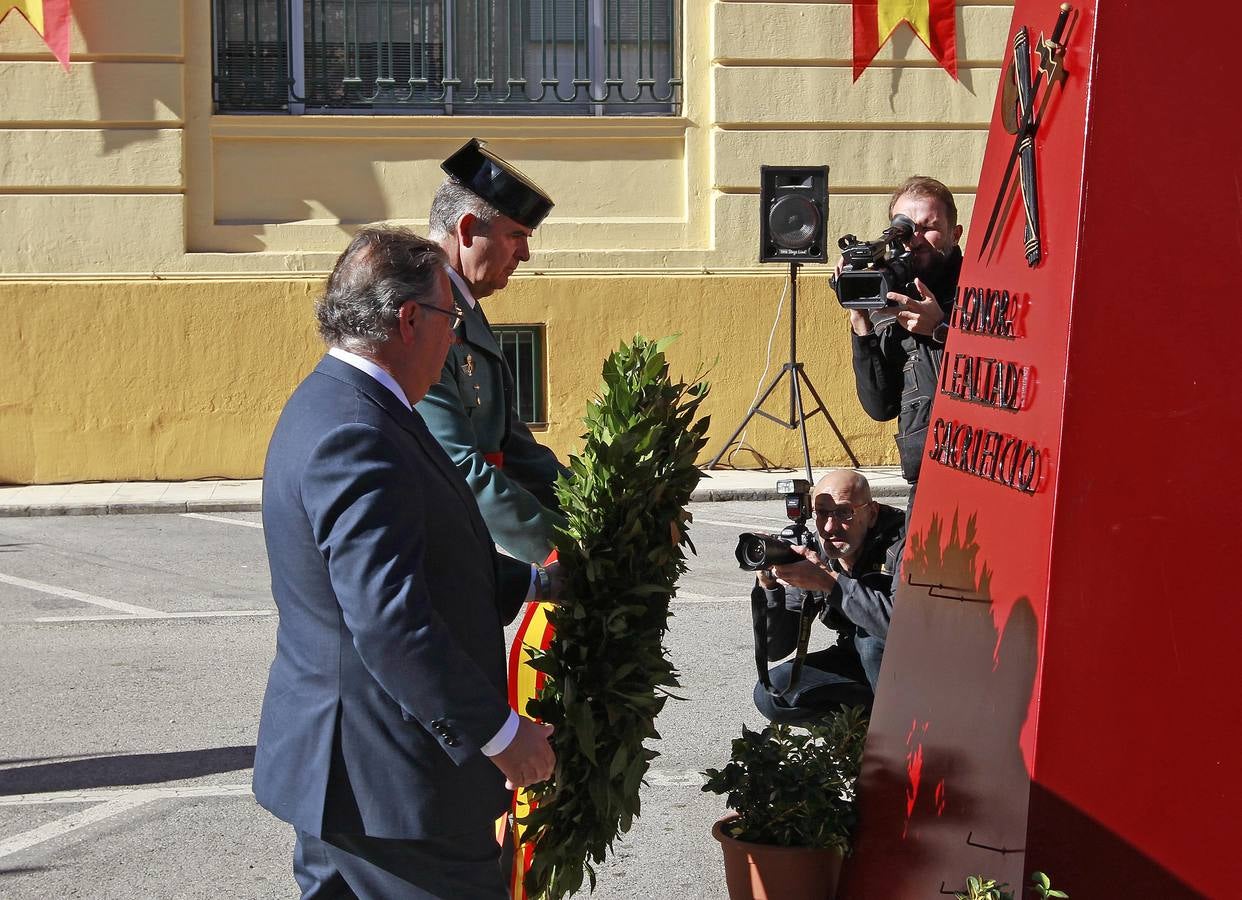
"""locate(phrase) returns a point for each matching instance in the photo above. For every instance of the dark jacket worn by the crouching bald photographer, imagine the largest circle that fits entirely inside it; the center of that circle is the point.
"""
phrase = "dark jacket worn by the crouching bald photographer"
(863, 601)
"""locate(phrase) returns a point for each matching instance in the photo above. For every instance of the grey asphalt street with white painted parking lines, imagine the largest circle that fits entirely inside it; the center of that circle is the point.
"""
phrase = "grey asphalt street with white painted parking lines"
(135, 652)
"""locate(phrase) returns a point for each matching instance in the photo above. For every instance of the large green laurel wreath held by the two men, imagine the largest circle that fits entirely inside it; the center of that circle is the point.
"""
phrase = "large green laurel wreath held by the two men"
(607, 670)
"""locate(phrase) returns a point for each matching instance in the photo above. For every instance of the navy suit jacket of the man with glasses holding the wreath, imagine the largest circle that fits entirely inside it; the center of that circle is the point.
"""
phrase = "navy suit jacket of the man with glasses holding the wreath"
(389, 672)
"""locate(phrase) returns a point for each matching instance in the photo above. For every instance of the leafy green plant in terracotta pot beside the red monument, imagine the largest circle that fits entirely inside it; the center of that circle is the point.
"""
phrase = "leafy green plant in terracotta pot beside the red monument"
(792, 791)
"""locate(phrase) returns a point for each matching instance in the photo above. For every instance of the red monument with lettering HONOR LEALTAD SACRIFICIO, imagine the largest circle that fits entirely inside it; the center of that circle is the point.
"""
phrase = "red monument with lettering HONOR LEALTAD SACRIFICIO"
(1060, 688)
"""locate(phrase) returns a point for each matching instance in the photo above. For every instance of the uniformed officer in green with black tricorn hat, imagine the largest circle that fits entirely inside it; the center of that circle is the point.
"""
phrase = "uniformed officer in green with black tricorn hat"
(483, 217)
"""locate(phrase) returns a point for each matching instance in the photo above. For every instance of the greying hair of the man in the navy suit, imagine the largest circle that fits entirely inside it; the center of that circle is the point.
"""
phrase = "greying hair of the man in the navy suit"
(382, 269)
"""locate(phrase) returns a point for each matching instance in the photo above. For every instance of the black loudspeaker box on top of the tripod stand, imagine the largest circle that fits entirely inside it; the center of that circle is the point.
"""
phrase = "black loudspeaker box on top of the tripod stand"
(793, 213)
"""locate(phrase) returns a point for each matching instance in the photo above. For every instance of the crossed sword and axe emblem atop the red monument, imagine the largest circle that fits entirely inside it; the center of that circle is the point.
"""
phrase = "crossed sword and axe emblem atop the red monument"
(1020, 120)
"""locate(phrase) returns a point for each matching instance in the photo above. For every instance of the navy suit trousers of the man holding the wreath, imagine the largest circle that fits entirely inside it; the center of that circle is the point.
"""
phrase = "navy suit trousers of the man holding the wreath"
(343, 867)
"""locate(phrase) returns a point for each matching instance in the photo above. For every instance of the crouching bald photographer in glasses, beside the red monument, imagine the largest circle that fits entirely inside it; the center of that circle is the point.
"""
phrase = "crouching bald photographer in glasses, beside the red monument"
(848, 584)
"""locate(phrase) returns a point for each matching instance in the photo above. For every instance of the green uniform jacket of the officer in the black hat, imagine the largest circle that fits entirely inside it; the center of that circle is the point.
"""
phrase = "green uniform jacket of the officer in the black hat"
(471, 412)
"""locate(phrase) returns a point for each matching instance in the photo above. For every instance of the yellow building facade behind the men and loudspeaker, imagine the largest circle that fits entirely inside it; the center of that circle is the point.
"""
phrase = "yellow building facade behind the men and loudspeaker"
(158, 261)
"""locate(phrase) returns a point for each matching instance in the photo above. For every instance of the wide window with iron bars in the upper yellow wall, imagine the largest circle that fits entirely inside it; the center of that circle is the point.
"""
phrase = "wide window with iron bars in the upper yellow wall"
(536, 58)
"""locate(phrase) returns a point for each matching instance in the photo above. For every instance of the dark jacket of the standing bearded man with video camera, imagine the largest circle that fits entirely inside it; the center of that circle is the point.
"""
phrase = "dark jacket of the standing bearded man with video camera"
(896, 373)
